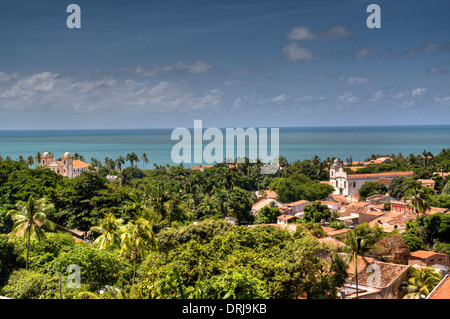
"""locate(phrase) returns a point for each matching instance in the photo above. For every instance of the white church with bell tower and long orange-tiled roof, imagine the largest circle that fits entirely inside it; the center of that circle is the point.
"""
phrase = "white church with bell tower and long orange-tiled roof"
(347, 184)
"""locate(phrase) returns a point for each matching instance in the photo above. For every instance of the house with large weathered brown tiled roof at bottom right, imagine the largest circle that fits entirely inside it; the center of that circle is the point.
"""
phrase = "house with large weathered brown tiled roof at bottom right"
(376, 279)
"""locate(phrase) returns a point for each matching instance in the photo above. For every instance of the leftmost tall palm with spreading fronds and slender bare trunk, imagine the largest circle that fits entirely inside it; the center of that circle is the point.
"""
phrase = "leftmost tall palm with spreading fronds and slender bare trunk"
(30, 219)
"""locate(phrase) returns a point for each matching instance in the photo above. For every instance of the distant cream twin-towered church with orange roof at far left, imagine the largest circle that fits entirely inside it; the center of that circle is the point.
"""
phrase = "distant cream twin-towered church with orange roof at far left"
(67, 166)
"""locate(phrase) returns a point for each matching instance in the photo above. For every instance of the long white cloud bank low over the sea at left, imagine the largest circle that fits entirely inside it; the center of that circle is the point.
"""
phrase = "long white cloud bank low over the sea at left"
(49, 92)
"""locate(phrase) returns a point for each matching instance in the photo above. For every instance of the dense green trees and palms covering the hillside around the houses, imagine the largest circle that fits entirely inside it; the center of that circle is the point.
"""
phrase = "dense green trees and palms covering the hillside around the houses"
(160, 232)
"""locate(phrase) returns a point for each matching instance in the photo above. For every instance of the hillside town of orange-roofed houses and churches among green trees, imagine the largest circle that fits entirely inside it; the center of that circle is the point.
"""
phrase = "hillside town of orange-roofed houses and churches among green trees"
(336, 206)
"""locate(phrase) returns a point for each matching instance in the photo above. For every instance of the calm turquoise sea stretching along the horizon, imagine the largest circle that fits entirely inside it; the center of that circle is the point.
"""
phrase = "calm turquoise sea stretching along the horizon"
(294, 142)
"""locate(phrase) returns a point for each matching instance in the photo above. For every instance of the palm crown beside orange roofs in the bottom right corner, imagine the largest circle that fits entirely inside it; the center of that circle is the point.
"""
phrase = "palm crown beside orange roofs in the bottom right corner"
(421, 282)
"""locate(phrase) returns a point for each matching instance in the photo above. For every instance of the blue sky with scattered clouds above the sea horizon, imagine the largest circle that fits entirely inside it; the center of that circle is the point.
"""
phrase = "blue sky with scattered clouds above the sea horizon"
(265, 63)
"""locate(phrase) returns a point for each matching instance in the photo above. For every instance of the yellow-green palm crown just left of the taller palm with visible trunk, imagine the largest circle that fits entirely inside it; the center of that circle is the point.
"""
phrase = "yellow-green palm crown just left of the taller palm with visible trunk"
(109, 228)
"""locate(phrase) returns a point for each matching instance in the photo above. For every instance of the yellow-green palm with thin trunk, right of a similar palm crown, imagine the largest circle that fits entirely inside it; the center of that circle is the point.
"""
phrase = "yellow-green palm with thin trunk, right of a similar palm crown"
(137, 240)
